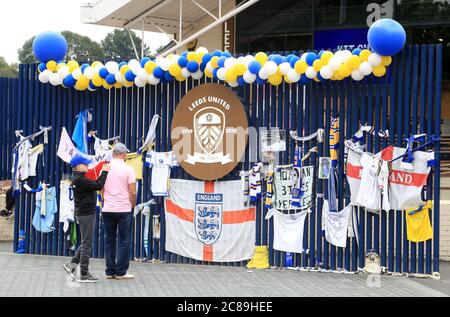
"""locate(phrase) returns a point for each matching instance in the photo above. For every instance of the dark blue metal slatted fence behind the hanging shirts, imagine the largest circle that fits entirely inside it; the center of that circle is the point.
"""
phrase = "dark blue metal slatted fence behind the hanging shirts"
(406, 101)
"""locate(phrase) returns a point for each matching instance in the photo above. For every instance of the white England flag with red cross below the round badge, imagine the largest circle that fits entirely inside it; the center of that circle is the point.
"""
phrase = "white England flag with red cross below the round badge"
(208, 221)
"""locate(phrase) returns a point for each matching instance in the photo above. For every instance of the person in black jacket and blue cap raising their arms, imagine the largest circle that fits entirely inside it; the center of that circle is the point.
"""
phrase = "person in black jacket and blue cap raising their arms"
(85, 201)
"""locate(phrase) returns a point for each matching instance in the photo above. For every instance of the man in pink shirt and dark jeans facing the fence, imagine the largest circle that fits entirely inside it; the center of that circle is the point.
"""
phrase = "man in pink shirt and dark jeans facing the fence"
(119, 196)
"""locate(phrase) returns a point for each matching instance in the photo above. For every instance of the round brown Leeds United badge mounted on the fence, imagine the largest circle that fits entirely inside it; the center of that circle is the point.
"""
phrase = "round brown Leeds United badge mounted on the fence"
(209, 131)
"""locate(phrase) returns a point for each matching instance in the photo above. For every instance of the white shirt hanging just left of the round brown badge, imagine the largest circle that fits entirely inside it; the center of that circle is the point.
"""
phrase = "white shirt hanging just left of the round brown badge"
(160, 163)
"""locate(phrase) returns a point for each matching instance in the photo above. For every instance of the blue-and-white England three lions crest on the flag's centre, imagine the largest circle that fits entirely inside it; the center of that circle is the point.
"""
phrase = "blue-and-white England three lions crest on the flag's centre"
(208, 217)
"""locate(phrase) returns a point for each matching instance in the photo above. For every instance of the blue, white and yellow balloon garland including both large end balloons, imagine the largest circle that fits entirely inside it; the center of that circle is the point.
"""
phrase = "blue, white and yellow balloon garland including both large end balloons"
(386, 38)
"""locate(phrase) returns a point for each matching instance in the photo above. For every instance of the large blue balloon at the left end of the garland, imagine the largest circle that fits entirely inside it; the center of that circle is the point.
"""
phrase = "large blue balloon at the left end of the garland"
(49, 46)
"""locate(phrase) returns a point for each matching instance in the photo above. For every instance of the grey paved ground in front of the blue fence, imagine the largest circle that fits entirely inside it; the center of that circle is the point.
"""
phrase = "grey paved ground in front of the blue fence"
(30, 275)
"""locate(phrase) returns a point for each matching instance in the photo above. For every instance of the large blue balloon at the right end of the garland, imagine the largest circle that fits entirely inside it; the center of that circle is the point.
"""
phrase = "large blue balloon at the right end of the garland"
(386, 37)
